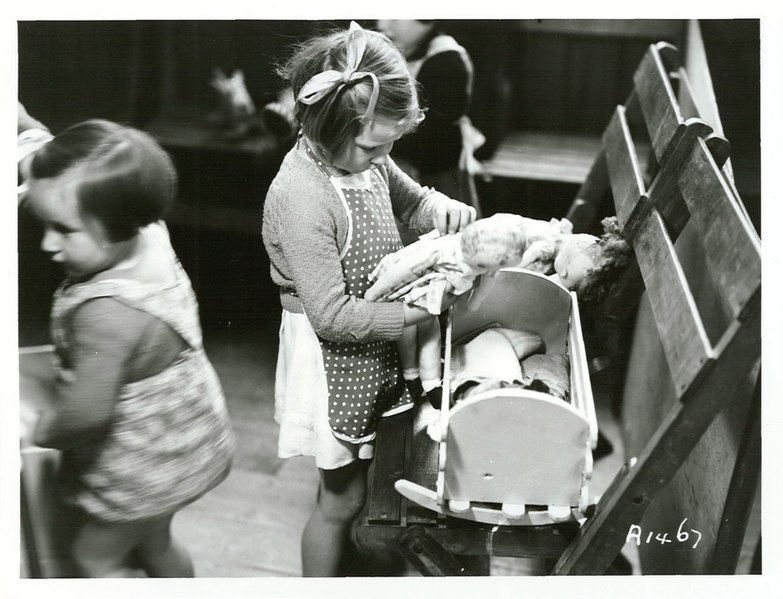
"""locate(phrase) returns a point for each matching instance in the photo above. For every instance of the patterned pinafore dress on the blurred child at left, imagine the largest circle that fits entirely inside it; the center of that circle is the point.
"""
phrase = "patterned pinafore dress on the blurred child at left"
(170, 440)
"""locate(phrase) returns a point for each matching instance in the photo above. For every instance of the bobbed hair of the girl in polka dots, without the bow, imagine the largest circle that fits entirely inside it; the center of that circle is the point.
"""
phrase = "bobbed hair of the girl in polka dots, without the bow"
(336, 119)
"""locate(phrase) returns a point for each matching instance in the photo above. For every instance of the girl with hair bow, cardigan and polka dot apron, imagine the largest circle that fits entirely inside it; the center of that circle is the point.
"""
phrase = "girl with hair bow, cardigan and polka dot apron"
(329, 218)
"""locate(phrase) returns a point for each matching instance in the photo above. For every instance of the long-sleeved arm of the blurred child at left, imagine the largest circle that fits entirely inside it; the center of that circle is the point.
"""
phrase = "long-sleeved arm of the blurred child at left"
(106, 334)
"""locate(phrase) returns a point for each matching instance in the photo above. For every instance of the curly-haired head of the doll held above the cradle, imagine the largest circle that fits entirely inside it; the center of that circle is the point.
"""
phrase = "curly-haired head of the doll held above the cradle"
(588, 264)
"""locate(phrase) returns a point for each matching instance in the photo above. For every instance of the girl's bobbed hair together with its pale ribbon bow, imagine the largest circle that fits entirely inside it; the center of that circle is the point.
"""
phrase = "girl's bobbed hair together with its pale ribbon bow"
(345, 80)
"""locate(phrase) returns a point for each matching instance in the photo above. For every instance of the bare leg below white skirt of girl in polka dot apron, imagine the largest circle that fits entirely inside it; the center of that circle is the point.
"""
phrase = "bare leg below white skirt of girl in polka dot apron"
(341, 496)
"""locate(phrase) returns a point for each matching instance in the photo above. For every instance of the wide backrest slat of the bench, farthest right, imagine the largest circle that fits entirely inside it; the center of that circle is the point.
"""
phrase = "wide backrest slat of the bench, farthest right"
(731, 246)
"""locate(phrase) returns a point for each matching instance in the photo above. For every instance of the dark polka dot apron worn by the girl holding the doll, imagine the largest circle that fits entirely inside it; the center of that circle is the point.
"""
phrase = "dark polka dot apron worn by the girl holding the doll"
(364, 379)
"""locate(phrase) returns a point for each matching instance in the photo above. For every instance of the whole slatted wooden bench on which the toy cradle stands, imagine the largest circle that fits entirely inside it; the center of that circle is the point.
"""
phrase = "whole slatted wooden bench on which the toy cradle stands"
(693, 351)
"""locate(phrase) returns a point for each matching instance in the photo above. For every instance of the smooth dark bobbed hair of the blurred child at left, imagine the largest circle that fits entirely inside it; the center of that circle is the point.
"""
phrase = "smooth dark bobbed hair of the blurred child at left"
(123, 177)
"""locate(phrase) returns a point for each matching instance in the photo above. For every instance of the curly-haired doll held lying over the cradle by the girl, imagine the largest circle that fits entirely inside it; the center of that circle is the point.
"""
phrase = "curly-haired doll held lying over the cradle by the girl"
(424, 271)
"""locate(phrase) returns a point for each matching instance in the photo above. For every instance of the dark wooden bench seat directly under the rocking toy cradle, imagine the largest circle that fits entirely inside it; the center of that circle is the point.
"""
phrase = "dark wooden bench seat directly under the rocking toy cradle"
(435, 544)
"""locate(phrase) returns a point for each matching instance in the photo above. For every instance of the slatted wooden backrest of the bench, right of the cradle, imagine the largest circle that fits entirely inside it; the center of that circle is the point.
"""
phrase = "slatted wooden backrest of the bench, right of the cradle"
(695, 345)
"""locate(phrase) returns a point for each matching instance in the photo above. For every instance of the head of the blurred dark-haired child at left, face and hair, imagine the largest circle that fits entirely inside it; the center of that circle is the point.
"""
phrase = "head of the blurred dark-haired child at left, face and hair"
(94, 186)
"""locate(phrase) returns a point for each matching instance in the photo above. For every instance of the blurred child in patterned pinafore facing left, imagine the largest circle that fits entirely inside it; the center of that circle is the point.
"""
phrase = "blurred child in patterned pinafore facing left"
(139, 413)
